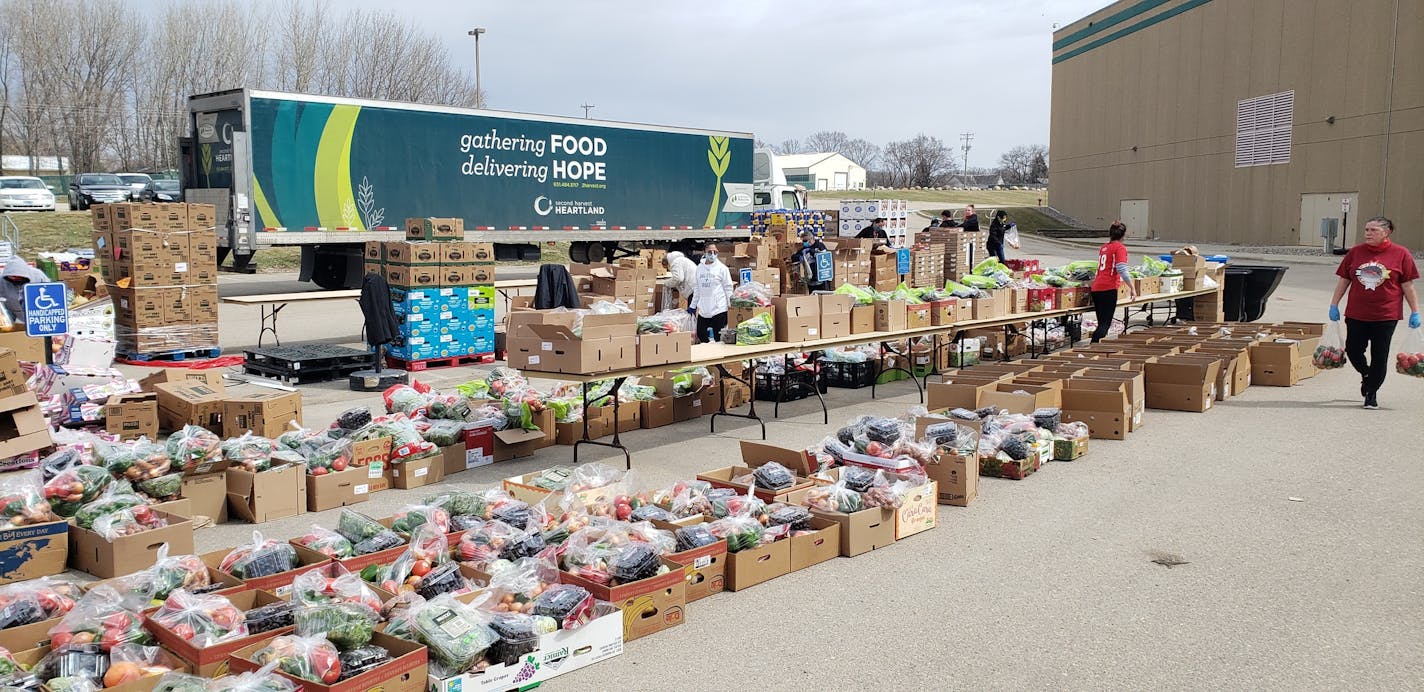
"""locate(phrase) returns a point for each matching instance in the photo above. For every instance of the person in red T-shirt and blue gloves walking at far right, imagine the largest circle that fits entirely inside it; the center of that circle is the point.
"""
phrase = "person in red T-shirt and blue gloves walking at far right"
(1379, 274)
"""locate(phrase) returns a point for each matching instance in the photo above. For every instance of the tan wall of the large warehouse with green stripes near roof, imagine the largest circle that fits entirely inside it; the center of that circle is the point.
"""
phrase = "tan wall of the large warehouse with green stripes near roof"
(1144, 108)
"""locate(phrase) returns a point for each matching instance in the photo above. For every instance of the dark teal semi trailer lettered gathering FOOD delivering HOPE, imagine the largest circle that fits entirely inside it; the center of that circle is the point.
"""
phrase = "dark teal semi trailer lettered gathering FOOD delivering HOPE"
(327, 174)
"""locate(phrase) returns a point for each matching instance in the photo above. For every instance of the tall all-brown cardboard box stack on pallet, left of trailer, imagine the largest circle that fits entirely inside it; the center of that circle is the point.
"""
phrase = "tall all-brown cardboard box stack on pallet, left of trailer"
(160, 263)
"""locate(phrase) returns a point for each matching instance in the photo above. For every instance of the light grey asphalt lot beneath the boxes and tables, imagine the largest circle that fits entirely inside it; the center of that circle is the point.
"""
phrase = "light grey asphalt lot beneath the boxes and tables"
(1294, 519)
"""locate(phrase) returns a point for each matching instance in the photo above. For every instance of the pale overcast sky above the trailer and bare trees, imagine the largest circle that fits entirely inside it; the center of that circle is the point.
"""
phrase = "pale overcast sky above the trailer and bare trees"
(781, 70)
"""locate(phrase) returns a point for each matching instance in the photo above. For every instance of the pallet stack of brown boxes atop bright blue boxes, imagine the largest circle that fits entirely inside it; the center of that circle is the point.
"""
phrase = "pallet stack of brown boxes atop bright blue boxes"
(442, 290)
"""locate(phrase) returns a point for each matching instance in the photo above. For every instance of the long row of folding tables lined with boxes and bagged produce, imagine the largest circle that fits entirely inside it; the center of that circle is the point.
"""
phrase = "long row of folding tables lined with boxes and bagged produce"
(720, 355)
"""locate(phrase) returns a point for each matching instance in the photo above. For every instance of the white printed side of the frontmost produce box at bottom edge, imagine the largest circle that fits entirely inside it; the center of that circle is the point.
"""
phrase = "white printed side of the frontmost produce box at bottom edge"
(559, 653)
